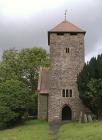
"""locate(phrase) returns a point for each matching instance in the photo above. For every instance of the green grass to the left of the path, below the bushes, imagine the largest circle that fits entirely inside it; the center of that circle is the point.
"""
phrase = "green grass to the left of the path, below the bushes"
(31, 130)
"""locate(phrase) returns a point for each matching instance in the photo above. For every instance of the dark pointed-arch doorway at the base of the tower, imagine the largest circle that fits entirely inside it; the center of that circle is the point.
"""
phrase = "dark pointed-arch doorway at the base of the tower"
(66, 113)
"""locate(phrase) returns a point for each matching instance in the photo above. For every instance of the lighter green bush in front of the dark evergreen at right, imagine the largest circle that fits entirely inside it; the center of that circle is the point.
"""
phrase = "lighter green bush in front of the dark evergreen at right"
(95, 96)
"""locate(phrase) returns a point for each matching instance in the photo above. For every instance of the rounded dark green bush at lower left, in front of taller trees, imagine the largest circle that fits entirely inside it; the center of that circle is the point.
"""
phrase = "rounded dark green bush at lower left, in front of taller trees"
(15, 100)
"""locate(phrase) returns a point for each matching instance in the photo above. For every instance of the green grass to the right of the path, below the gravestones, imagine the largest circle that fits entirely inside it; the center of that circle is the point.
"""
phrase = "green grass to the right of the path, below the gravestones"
(76, 131)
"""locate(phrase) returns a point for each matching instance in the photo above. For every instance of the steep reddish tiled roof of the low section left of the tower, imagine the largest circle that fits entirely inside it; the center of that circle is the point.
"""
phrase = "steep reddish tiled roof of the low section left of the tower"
(43, 81)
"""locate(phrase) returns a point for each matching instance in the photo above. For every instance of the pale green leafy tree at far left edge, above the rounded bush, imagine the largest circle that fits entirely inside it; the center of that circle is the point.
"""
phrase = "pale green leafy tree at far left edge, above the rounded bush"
(9, 66)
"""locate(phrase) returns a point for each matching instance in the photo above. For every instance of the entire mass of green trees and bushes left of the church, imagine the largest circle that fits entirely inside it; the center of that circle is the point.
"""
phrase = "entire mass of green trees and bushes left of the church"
(18, 83)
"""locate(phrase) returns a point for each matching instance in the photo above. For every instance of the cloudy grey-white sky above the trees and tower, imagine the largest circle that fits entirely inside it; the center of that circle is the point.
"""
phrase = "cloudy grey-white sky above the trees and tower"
(24, 23)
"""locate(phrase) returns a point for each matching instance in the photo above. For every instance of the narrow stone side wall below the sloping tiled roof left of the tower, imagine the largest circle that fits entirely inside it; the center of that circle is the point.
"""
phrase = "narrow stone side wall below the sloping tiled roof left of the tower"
(42, 106)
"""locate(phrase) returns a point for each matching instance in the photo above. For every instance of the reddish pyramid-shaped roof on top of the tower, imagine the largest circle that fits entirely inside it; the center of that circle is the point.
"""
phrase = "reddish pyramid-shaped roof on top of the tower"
(66, 26)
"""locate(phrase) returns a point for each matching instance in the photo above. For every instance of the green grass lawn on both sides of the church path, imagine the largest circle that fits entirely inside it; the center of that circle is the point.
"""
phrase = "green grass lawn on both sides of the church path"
(39, 130)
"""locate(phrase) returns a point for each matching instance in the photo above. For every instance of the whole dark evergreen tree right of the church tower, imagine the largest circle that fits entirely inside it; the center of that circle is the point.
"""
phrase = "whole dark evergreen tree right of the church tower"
(90, 85)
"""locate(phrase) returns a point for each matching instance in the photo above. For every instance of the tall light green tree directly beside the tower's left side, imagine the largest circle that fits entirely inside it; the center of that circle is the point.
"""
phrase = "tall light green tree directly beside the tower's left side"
(30, 62)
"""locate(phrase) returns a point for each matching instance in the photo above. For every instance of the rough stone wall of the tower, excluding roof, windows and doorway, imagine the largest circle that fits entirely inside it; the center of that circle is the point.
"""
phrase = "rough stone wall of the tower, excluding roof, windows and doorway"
(63, 73)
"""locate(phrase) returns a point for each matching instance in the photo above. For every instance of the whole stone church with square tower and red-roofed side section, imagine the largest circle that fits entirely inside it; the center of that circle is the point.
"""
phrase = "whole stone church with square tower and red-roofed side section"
(58, 96)
